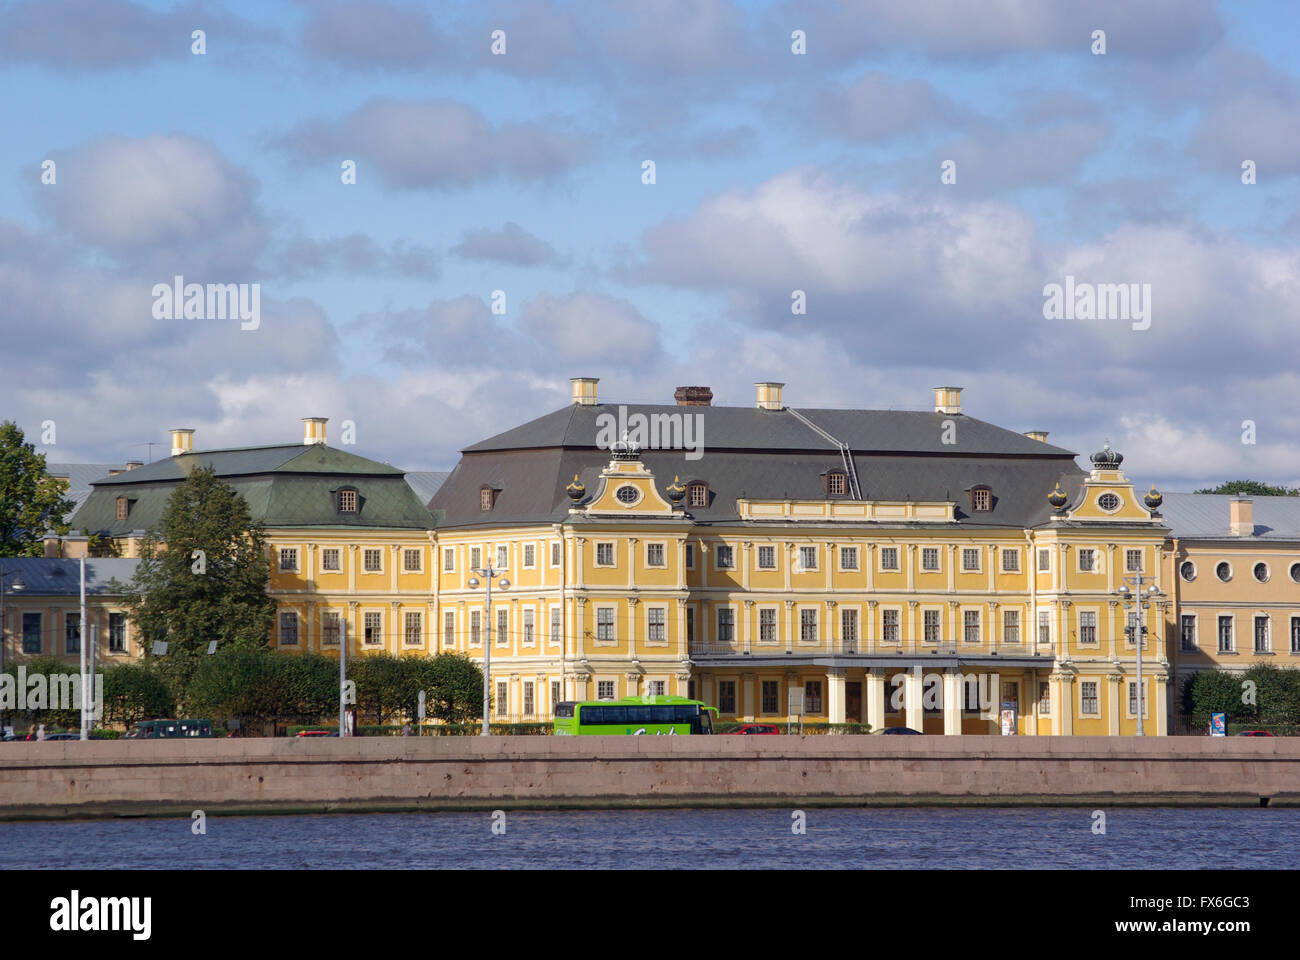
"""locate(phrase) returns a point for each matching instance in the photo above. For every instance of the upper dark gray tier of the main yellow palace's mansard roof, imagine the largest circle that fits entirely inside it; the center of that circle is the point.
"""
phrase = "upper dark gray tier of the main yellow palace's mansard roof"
(751, 429)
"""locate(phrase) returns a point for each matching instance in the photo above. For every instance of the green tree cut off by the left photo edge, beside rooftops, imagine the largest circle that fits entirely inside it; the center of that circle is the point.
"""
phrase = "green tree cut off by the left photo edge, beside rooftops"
(32, 503)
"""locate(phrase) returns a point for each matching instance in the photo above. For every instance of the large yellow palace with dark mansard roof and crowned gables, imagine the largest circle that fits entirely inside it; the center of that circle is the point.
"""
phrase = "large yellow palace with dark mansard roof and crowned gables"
(886, 568)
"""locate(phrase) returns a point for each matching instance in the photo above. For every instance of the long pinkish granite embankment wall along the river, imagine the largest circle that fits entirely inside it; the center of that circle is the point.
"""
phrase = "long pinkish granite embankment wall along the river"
(174, 777)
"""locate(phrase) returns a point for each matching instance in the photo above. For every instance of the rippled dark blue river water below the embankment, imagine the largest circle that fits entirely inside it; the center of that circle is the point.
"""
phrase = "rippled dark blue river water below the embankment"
(934, 838)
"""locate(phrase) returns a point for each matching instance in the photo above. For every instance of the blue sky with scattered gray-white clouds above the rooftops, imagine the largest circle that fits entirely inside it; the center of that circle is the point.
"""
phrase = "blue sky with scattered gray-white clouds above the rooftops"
(775, 172)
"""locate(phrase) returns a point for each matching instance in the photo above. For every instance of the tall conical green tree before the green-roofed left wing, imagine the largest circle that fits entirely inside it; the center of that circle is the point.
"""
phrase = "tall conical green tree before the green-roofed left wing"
(190, 599)
